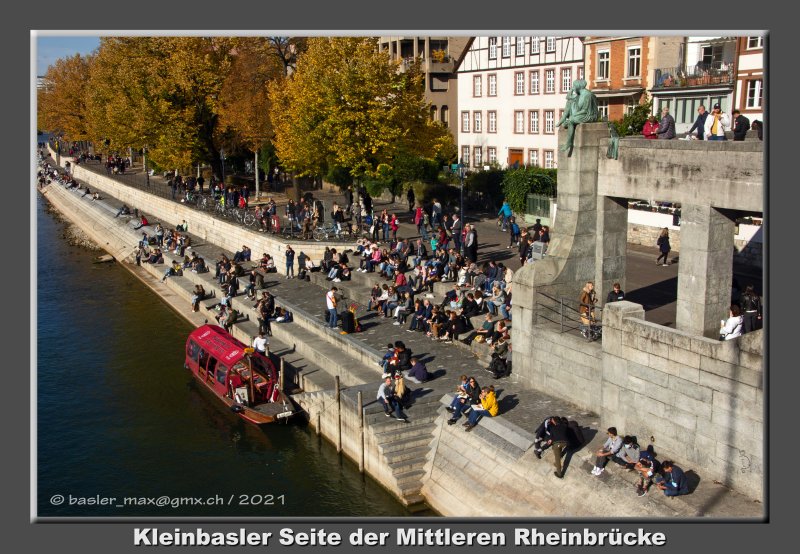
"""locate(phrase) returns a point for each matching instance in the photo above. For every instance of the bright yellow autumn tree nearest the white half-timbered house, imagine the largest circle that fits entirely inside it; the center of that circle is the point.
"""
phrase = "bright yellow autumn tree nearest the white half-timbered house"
(348, 105)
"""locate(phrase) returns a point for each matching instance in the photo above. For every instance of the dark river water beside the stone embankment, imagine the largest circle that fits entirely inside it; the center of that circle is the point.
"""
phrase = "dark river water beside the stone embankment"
(122, 428)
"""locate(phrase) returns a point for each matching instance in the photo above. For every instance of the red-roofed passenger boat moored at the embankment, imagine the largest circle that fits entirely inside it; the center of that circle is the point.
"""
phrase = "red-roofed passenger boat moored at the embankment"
(244, 380)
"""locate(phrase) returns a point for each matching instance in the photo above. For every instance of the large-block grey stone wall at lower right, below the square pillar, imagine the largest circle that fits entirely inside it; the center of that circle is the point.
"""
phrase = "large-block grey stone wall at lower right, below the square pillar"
(701, 400)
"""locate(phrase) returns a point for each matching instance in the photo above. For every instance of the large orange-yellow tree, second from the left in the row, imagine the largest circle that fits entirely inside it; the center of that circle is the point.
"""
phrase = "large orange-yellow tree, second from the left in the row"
(162, 93)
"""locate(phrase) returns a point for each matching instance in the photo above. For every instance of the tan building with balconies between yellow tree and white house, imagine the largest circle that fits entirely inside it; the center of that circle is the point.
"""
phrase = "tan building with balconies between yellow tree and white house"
(439, 57)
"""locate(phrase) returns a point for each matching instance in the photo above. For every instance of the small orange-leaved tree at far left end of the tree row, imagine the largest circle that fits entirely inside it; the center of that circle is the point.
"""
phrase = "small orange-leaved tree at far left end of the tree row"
(61, 103)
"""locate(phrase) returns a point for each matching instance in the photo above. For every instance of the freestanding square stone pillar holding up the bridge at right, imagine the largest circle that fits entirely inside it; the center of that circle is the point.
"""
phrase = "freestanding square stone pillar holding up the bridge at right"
(705, 271)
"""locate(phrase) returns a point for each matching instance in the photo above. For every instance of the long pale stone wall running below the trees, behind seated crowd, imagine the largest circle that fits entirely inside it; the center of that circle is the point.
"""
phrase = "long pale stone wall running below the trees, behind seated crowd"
(221, 232)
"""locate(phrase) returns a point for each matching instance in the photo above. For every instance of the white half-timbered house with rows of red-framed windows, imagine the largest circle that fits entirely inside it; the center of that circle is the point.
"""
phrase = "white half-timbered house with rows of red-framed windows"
(511, 94)
